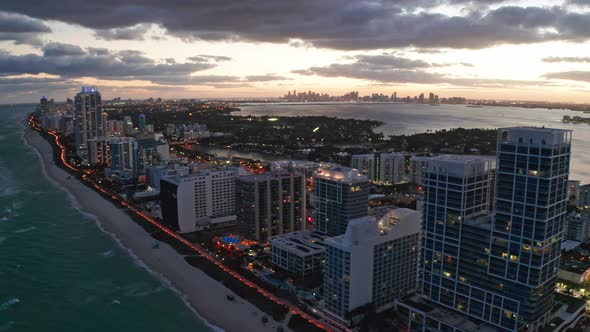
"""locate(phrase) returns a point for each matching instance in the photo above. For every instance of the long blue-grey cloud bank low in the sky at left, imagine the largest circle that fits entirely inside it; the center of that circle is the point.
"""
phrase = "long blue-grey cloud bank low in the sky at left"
(71, 61)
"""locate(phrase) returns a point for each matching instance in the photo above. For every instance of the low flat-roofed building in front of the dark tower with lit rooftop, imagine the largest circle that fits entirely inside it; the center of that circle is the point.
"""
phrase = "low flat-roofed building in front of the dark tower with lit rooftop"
(300, 253)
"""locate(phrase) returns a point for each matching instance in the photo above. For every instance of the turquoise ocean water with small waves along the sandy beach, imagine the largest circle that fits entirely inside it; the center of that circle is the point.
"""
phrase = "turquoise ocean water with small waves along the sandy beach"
(58, 270)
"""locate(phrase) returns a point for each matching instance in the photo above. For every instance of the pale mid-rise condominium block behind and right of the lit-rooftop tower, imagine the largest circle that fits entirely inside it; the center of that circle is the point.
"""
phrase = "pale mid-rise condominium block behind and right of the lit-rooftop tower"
(380, 167)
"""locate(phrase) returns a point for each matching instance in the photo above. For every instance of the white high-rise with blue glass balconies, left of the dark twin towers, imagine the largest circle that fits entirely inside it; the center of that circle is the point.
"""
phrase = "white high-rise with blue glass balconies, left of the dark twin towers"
(374, 262)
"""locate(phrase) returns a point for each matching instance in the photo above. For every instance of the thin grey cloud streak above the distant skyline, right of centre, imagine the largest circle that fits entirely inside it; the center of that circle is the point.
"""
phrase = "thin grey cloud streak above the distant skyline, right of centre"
(373, 69)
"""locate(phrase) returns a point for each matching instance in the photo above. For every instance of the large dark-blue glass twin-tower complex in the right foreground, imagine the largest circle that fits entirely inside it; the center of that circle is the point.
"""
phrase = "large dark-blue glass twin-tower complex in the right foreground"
(479, 272)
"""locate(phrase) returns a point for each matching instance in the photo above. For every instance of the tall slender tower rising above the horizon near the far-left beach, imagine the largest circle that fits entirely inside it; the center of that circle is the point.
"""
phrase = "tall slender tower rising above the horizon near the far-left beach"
(88, 115)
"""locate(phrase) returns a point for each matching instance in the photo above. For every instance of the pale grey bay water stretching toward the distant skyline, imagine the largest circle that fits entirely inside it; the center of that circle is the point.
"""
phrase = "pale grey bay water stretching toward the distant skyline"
(407, 119)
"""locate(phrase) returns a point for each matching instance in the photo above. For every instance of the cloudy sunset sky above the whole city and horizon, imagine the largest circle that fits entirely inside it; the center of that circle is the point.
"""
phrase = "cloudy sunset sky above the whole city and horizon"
(484, 49)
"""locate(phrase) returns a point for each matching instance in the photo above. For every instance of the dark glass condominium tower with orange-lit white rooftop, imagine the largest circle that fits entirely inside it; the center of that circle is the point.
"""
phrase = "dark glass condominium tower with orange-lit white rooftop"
(340, 195)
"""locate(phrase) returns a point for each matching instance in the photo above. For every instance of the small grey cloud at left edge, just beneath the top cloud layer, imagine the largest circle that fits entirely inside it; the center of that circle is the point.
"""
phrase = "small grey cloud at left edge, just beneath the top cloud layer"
(21, 29)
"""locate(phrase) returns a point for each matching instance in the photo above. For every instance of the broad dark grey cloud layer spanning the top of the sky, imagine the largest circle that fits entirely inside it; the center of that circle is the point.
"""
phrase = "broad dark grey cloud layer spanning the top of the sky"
(339, 24)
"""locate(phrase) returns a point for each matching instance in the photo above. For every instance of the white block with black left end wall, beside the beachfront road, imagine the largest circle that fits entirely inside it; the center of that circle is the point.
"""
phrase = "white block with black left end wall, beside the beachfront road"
(199, 200)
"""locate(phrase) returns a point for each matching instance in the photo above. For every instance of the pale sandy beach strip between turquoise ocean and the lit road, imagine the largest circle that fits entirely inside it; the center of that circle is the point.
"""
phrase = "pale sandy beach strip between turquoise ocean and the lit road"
(205, 295)
